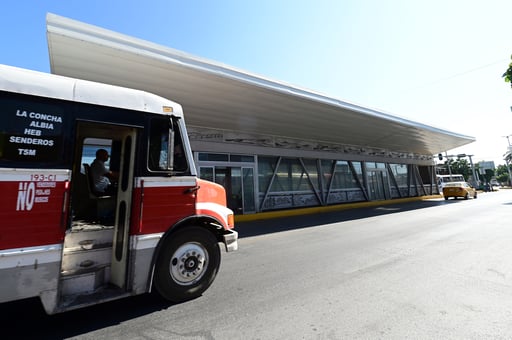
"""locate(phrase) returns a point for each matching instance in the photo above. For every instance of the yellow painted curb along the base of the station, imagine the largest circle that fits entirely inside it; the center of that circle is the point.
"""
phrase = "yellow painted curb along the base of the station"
(330, 208)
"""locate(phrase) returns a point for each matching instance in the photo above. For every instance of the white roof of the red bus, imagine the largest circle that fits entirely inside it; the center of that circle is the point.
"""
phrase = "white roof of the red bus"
(23, 81)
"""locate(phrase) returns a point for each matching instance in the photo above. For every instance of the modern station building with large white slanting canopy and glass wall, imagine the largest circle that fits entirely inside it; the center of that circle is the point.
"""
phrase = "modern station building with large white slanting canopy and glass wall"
(270, 144)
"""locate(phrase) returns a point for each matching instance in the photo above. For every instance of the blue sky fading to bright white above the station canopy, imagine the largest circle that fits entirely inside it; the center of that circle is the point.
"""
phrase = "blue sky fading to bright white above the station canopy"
(437, 62)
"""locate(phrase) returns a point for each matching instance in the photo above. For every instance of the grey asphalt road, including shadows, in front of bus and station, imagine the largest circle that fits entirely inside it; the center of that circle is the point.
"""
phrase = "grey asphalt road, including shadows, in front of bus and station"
(428, 270)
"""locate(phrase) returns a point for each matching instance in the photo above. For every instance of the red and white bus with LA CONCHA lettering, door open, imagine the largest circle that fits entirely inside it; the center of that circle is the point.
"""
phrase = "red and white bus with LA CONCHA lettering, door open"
(72, 247)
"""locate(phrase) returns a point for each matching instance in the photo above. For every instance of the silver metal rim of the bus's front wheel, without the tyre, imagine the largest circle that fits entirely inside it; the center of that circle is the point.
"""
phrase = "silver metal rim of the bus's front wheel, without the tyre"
(189, 263)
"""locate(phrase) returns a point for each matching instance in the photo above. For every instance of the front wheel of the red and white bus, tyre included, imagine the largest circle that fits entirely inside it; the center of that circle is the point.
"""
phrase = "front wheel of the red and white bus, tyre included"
(187, 264)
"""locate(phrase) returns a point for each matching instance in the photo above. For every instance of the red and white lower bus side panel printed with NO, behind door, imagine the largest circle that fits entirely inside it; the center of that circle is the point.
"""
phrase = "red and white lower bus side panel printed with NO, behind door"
(31, 231)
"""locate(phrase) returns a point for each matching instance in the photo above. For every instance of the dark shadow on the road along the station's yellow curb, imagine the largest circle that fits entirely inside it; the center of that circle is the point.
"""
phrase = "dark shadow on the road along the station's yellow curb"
(275, 225)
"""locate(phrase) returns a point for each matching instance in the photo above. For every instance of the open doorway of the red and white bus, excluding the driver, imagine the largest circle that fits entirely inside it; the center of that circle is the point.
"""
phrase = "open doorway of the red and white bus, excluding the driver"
(103, 221)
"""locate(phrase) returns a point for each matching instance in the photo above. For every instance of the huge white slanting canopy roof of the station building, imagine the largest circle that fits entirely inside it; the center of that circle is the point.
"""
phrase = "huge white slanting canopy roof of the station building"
(214, 95)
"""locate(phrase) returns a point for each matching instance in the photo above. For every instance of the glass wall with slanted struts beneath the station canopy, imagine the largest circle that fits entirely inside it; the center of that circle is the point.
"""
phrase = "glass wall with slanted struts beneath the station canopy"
(264, 183)
